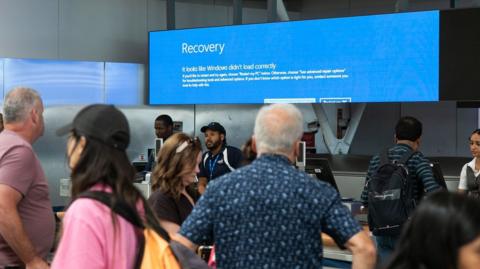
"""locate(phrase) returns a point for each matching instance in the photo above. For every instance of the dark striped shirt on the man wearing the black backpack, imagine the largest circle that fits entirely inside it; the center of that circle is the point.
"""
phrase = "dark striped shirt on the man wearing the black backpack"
(418, 166)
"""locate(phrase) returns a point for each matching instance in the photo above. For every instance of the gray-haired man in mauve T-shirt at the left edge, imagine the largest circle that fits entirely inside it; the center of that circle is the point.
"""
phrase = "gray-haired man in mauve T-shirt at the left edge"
(27, 225)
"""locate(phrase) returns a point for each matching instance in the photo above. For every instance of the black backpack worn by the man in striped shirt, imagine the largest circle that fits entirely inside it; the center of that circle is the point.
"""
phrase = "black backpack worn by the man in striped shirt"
(390, 196)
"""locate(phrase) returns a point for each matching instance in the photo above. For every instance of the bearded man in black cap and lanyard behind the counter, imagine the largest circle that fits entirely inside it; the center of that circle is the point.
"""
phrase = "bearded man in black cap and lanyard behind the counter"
(220, 158)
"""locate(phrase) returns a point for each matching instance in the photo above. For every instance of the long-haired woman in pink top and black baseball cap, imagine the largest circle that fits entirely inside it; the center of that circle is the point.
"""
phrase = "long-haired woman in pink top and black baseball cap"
(93, 236)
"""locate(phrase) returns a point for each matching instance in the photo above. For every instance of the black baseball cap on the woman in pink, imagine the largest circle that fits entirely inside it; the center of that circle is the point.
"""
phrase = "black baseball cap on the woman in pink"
(104, 123)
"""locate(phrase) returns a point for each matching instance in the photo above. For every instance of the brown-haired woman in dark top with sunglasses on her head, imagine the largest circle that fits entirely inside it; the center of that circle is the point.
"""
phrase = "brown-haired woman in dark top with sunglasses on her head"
(173, 196)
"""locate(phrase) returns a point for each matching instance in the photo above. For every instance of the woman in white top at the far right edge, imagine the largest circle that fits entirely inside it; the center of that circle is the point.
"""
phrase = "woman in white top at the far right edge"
(470, 174)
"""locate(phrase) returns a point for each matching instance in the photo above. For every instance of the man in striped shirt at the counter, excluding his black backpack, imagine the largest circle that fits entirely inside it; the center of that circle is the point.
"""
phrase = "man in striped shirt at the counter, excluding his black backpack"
(407, 135)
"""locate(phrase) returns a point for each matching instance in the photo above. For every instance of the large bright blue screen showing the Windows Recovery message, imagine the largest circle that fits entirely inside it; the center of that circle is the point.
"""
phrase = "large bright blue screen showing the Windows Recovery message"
(379, 58)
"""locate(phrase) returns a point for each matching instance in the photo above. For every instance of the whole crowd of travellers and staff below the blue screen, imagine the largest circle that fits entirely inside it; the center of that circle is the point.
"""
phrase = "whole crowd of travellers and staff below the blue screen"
(255, 207)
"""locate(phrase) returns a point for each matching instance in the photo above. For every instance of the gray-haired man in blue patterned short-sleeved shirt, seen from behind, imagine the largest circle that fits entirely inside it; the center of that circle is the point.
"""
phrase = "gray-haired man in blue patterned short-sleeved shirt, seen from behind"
(269, 214)
